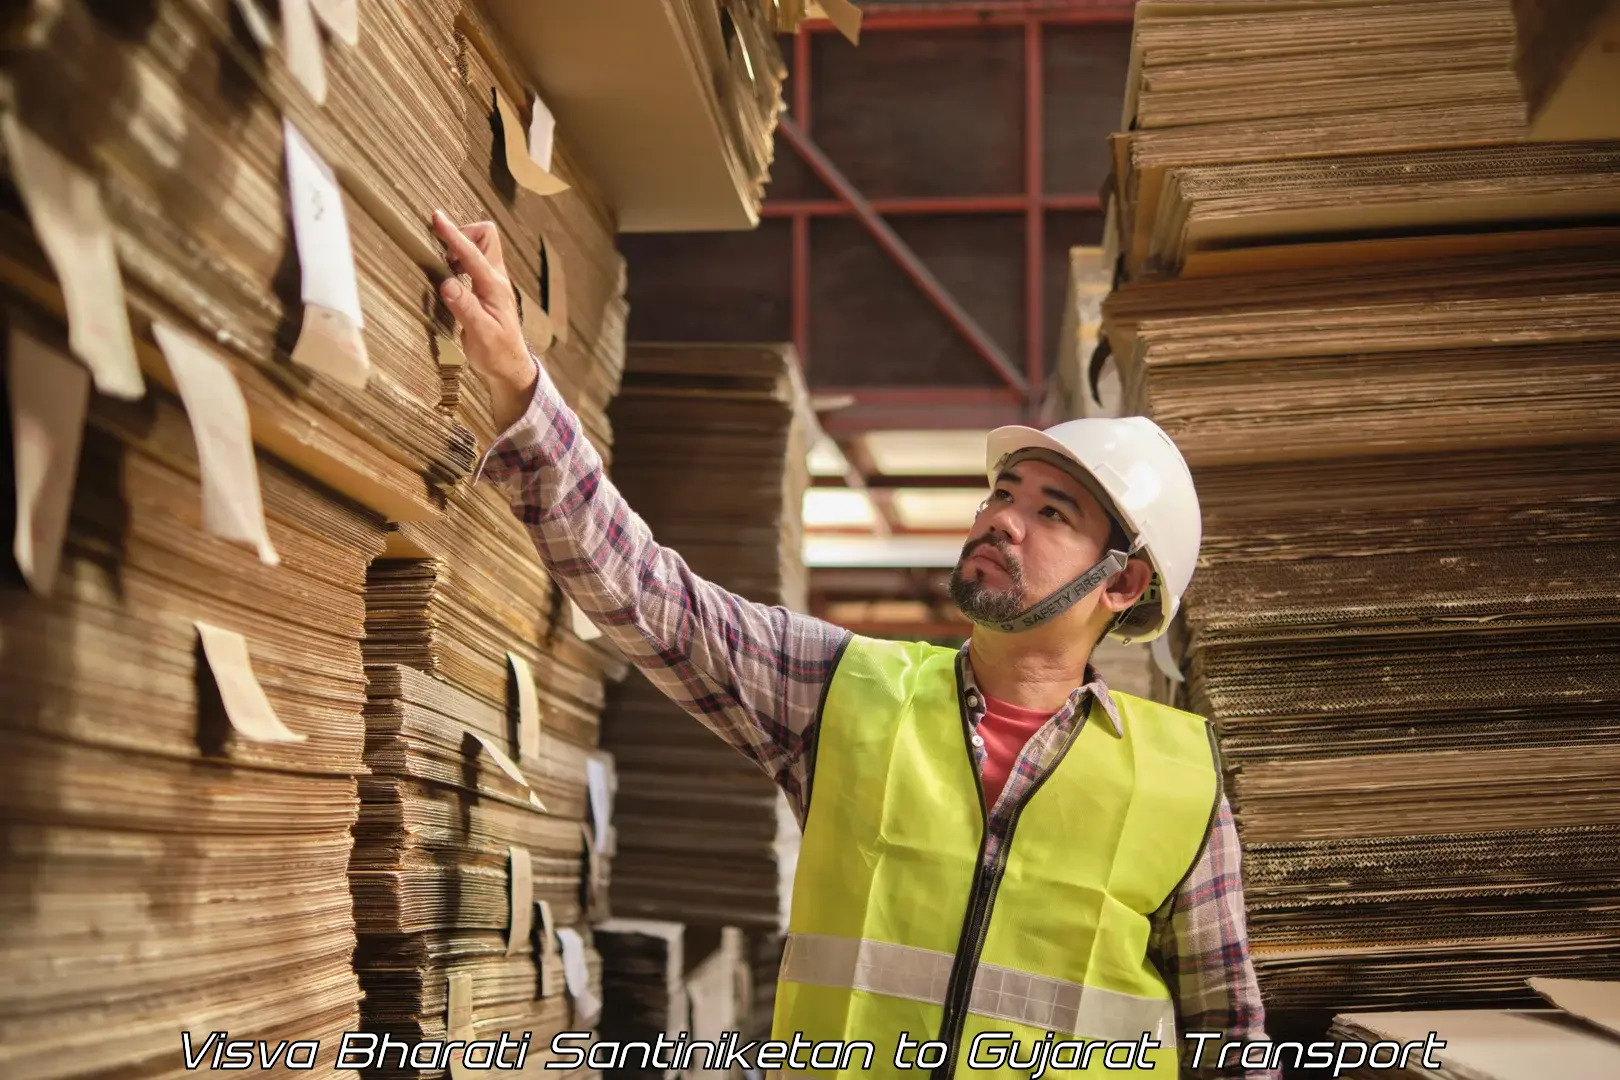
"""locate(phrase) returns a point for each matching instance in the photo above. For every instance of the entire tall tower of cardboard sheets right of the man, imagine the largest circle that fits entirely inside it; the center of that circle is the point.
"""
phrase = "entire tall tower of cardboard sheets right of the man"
(1381, 326)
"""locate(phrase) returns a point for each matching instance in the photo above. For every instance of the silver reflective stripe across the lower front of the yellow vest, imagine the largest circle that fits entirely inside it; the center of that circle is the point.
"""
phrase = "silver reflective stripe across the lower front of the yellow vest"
(1059, 1006)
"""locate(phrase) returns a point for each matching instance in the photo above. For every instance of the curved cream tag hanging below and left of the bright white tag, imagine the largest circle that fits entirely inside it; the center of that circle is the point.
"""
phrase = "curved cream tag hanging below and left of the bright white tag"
(232, 506)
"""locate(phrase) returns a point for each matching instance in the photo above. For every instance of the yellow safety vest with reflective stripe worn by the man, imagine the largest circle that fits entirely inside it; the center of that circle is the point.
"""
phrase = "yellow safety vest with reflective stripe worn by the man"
(902, 927)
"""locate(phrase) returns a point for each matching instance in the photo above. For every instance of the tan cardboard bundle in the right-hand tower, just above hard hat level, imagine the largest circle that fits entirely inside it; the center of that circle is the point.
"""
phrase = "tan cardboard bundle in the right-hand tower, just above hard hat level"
(1388, 359)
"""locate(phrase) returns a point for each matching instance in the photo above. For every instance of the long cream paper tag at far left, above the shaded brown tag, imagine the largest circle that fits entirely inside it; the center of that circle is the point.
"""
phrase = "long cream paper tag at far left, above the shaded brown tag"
(66, 206)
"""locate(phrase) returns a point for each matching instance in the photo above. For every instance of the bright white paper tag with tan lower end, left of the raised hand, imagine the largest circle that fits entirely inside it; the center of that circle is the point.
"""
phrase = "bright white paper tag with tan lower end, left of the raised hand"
(331, 339)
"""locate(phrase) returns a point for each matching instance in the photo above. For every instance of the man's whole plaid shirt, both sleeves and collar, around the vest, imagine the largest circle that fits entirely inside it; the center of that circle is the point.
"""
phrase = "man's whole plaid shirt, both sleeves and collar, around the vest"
(754, 676)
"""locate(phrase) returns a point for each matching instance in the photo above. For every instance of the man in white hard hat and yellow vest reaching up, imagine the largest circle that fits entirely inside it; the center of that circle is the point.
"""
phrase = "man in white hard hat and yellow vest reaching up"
(999, 854)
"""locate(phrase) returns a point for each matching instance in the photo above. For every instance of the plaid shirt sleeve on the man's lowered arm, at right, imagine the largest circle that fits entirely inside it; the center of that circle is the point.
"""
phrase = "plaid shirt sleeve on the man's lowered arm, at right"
(1203, 950)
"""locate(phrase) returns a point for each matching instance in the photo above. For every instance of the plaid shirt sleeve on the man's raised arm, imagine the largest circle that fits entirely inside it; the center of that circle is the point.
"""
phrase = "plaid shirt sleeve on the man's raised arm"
(749, 673)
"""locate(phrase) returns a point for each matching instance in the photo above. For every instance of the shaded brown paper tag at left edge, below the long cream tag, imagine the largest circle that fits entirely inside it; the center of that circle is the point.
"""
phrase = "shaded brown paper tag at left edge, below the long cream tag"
(49, 398)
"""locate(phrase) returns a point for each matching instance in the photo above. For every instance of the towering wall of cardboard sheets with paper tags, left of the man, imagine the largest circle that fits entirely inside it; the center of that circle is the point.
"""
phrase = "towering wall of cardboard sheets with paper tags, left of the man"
(190, 702)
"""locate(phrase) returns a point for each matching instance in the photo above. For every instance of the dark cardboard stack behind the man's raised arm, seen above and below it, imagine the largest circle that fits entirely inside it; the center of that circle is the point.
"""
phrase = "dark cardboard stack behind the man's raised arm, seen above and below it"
(712, 454)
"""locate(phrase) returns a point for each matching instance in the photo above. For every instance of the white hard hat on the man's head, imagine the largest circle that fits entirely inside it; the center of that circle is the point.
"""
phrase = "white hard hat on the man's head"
(1145, 483)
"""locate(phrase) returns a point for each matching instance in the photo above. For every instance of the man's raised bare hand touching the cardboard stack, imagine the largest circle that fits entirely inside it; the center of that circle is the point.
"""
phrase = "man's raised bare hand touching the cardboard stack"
(487, 310)
